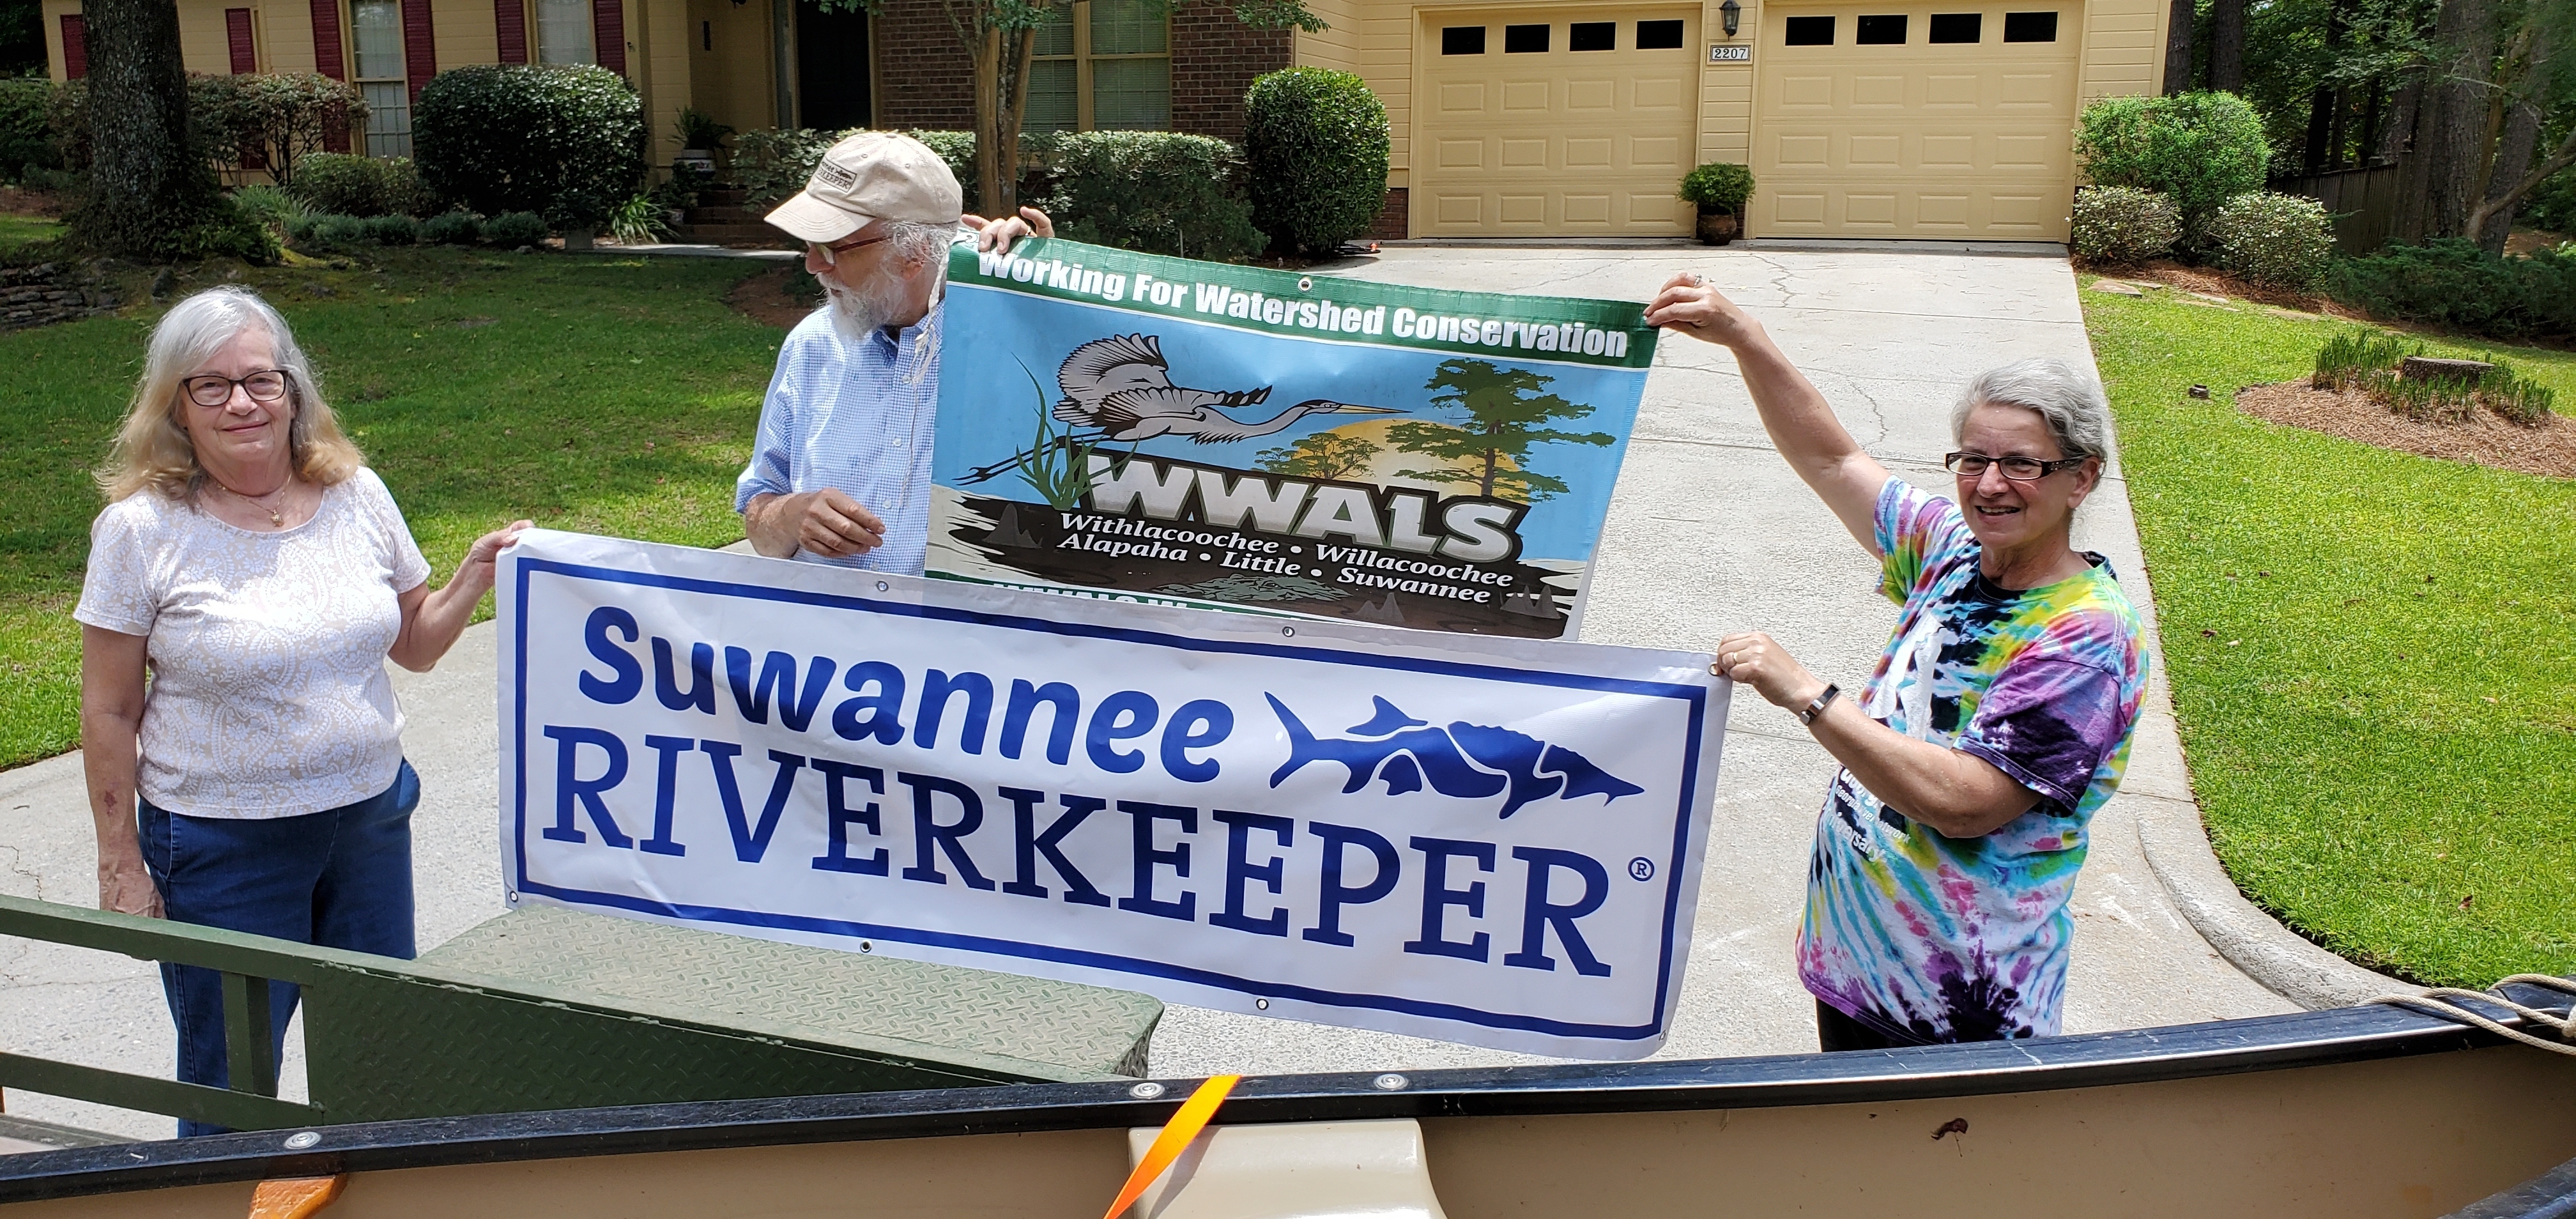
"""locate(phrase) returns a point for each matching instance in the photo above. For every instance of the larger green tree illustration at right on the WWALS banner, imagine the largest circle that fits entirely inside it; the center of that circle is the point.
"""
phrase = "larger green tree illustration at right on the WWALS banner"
(1506, 416)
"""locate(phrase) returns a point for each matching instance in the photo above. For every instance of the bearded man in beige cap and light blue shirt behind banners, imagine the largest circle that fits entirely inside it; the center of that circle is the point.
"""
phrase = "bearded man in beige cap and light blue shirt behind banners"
(841, 468)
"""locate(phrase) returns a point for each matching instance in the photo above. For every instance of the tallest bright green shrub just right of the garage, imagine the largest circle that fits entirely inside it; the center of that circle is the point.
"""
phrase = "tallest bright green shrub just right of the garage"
(2193, 148)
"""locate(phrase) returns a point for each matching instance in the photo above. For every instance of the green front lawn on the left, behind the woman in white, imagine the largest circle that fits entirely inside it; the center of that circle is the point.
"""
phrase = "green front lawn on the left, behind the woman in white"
(583, 393)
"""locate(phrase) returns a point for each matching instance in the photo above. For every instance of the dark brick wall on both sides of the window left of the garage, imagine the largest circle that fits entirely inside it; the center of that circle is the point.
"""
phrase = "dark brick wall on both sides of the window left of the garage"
(923, 79)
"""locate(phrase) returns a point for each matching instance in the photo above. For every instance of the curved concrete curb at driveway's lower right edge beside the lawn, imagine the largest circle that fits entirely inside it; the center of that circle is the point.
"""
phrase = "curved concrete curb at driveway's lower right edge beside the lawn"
(2178, 849)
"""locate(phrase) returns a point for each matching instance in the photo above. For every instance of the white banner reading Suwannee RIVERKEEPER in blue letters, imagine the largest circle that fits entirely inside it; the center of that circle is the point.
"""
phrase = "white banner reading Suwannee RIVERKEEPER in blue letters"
(1467, 839)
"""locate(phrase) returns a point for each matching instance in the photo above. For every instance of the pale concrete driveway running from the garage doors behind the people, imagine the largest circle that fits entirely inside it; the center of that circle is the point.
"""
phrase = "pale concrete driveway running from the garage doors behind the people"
(1709, 535)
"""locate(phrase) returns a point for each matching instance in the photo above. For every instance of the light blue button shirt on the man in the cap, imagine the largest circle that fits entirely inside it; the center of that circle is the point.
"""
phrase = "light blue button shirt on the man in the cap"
(854, 419)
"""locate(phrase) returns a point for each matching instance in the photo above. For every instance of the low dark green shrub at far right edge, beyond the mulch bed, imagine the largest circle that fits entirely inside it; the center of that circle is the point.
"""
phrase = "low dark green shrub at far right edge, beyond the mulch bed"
(2459, 285)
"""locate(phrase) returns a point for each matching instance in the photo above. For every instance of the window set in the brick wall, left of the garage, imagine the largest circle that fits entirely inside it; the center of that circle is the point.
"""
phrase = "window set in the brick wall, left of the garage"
(1101, 66)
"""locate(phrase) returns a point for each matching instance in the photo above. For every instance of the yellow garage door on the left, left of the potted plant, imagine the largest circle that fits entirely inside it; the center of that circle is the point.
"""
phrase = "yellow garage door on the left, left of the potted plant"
(1573, 122)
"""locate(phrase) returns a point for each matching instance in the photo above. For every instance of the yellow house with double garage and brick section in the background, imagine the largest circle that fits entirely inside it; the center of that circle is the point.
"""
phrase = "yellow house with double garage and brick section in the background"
(1928, 120)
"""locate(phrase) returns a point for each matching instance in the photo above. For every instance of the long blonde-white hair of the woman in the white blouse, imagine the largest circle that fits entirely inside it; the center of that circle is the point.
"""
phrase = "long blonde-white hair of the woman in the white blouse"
(153, 447)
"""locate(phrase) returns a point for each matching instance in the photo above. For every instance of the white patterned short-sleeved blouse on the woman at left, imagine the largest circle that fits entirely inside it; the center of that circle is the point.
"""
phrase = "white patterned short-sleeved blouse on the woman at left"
(269, 692)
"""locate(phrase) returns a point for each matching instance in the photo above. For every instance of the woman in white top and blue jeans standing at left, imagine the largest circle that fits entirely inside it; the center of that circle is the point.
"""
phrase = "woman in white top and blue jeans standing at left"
(261, 573)
